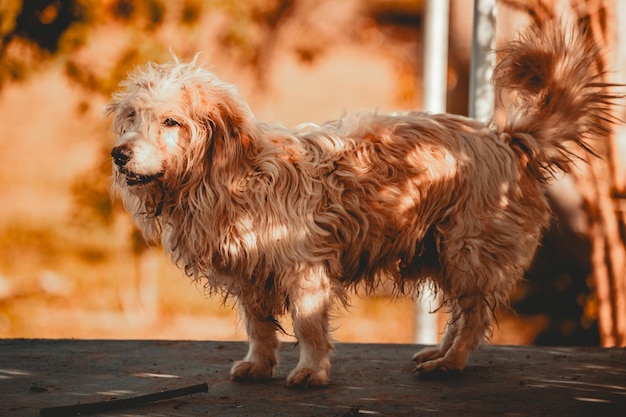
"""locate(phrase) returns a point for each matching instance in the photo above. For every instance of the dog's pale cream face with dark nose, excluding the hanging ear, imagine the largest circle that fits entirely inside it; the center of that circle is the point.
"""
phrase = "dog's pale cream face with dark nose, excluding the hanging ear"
(153, 123)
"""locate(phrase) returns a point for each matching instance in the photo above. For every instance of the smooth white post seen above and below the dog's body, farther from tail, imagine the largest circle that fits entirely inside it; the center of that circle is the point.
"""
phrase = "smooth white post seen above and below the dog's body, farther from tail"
(435, 90)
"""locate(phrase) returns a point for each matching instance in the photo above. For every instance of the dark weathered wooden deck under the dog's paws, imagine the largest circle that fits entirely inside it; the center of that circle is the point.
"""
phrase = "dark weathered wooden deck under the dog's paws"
(367, 379)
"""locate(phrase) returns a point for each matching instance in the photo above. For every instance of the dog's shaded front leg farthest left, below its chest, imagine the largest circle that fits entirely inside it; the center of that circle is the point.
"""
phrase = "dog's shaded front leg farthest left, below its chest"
(261, 359)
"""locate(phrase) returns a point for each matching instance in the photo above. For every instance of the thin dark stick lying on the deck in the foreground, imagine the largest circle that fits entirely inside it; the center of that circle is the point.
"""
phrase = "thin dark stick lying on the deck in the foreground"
(101, 406)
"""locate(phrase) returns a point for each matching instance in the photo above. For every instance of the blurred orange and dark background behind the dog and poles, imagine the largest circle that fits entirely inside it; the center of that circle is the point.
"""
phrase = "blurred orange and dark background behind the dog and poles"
(73, 266)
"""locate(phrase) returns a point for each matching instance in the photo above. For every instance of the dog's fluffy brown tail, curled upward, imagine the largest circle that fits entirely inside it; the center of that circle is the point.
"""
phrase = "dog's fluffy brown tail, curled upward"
(561, 101)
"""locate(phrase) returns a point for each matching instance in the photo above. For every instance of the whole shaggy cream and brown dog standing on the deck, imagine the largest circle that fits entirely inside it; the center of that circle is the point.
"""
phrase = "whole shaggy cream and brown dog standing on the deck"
(290, 220)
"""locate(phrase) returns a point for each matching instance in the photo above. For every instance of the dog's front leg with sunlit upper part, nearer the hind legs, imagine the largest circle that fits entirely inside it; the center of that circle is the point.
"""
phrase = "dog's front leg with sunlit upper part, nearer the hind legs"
(309, 302)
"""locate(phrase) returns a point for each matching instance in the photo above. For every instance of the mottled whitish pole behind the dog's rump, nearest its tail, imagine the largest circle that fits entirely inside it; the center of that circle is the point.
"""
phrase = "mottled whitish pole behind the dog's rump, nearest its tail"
(482, 96)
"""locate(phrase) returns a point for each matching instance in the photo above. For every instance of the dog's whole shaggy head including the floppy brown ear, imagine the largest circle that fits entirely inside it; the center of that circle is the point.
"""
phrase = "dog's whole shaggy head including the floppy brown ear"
(174, 123)
